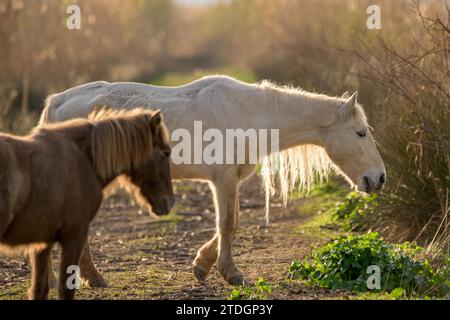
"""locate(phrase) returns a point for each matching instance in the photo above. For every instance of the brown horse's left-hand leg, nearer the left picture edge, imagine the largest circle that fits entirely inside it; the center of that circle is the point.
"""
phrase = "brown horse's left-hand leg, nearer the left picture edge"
(39, 258)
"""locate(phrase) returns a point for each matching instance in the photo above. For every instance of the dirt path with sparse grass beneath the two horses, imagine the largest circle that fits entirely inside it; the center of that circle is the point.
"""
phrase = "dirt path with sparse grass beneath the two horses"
(147, 258)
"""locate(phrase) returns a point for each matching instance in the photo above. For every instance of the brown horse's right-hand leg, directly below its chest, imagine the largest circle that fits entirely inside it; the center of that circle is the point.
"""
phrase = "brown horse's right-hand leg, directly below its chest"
(70, 256)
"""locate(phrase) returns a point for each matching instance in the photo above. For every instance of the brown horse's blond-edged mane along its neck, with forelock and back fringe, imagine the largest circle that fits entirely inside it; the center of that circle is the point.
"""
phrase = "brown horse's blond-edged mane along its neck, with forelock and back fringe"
(120, 140)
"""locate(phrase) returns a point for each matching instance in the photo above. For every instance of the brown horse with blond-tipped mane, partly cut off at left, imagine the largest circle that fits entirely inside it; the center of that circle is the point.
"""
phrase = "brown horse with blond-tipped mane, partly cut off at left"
(52, 183)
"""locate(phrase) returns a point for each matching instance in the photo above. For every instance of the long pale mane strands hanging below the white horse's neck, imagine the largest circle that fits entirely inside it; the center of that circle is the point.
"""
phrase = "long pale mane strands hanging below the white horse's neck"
(299, 167)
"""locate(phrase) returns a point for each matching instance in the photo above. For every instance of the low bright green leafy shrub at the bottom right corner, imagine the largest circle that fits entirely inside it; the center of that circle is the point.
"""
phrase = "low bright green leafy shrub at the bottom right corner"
(343, 263)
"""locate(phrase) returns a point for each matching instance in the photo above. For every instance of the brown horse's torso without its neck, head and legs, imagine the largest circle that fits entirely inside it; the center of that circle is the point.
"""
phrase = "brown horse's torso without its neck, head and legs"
(38, 175)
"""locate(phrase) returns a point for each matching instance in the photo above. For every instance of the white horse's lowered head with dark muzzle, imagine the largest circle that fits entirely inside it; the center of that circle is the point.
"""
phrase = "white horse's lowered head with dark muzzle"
(350, 145)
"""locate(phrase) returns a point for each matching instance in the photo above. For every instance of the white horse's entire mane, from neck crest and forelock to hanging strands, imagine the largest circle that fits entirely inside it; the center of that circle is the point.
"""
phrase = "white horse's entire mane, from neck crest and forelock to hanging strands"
(302, 166)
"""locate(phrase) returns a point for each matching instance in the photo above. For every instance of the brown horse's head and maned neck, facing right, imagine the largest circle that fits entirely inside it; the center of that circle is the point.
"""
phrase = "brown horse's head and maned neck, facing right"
(135, 145)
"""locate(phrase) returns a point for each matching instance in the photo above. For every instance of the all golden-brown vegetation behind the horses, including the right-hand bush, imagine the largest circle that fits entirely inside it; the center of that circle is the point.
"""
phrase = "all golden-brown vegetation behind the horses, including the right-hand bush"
(402, 72)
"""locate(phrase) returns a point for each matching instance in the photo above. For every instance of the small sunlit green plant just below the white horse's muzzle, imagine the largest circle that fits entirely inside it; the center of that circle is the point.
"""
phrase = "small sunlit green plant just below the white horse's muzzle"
(353, 208)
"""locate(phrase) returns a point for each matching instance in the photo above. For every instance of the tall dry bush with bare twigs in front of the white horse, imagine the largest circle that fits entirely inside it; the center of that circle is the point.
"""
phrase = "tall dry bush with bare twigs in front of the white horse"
(413, 116)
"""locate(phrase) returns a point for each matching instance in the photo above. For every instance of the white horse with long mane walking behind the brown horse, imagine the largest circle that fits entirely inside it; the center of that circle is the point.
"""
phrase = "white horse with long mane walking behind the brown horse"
(316, 133)
